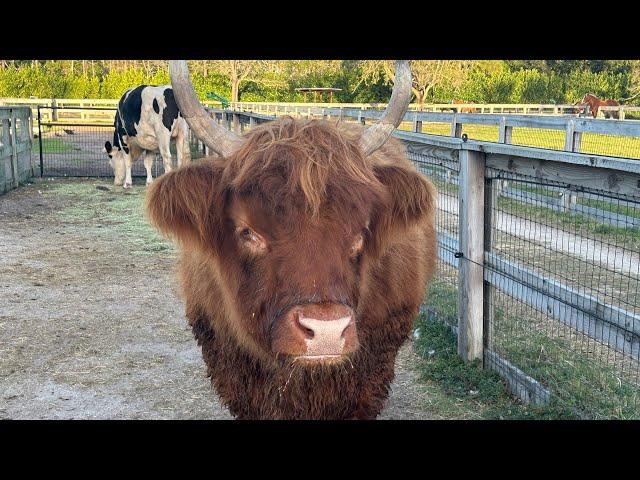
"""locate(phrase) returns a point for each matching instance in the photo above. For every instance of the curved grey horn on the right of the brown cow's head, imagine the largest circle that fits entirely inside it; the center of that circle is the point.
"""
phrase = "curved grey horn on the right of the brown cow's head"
(376, 135)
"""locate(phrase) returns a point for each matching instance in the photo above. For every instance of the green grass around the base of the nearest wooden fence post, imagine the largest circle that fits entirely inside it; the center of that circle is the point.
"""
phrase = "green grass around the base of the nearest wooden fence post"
(582, 386)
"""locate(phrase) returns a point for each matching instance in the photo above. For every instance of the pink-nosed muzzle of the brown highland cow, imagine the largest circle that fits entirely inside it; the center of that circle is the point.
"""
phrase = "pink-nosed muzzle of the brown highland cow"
(317, 332)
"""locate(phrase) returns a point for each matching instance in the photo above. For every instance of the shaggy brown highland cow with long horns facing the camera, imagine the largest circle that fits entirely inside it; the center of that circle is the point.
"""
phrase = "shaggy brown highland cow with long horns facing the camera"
(306, 248)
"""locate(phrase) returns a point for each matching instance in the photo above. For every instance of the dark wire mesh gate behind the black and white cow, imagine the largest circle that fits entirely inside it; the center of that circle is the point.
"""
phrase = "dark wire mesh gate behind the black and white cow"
(74, 148)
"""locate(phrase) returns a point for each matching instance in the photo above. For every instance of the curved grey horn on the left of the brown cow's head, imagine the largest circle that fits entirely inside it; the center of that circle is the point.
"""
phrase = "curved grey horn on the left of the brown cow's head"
(217, 138)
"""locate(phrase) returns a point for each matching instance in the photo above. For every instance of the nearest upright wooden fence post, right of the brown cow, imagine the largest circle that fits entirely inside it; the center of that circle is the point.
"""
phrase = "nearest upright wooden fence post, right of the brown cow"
(470, 279)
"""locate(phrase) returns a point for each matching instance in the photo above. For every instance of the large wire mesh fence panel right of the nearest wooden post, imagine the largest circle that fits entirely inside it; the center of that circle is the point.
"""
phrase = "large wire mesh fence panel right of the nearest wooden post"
(565, 266)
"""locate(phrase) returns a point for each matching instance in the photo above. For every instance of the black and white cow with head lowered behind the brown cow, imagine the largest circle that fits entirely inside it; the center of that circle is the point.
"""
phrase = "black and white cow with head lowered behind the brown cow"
(146, 121)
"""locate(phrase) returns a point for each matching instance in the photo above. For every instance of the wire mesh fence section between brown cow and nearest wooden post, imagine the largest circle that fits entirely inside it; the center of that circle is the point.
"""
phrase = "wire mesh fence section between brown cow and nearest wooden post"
(441, 301)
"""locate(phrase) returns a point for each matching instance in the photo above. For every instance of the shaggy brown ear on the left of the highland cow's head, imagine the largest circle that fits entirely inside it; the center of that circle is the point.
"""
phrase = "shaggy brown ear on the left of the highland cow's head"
(186, 204)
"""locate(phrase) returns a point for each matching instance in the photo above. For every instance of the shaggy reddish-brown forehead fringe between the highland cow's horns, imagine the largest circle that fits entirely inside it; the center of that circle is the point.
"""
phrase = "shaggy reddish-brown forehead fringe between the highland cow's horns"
(314, 157)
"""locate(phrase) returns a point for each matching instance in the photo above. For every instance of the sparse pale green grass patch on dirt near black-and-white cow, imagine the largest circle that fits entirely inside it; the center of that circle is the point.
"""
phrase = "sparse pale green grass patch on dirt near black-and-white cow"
(122, 211)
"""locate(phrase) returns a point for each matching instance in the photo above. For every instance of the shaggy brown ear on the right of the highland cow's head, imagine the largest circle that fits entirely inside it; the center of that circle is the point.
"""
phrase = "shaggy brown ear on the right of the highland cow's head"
(411, 200)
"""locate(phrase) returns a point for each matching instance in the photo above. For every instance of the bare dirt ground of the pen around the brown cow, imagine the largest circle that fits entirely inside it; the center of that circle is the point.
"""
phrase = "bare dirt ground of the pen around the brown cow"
(90, 324)
